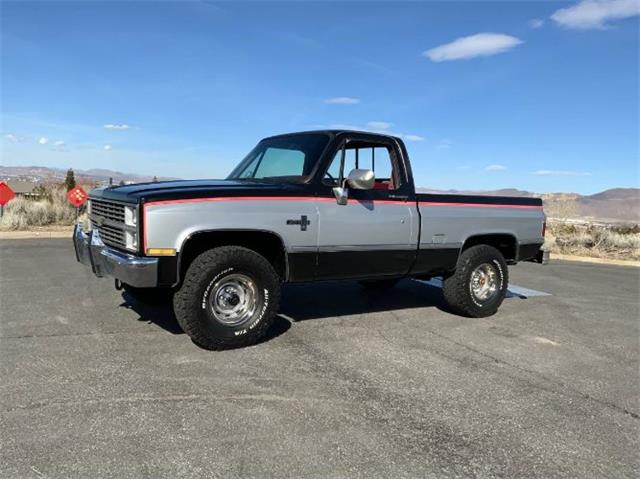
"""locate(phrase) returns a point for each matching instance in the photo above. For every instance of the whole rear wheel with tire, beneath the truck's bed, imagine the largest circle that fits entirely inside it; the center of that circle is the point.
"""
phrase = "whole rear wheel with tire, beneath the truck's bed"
(479, 284)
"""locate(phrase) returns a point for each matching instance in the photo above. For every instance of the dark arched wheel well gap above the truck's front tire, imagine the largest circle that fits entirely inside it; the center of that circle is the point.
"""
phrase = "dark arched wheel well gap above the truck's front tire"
(267, 244)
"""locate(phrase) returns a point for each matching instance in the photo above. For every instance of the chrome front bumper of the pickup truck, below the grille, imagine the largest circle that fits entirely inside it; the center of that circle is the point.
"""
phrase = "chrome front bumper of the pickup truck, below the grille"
(108, 262)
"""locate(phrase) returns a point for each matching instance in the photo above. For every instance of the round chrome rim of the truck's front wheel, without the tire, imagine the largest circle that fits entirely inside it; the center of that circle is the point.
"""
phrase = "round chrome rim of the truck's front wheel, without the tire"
(233, 299)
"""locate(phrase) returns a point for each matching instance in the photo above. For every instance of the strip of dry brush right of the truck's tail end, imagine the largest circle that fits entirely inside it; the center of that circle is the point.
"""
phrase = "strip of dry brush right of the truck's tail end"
(601, 241)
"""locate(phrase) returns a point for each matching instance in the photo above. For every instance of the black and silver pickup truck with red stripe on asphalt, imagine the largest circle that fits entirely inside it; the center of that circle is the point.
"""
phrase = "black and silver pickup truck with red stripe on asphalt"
(302, 207)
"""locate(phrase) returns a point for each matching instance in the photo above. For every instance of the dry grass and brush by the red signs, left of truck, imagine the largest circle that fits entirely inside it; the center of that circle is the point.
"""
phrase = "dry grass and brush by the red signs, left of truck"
(21, 213)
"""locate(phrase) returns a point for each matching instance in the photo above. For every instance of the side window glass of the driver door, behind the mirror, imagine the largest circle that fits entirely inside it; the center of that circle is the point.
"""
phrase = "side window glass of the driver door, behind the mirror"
(373, 157)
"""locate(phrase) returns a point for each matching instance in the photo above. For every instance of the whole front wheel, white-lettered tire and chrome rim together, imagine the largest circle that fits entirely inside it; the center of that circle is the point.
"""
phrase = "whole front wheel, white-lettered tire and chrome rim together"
(229, 298)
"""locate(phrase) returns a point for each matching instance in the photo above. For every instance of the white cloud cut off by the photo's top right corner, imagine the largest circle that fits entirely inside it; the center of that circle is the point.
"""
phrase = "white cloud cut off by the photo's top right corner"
(595, 13)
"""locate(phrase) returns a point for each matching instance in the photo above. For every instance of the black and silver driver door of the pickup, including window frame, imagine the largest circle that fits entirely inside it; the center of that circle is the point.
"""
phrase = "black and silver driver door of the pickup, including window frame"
(375, 234)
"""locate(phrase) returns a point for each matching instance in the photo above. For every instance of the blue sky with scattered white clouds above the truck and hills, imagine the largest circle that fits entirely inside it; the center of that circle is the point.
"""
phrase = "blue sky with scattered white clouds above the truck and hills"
(541, 95)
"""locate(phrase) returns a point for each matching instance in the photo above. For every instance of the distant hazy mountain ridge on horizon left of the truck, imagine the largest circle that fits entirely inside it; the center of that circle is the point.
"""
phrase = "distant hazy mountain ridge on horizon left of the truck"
(50, 175)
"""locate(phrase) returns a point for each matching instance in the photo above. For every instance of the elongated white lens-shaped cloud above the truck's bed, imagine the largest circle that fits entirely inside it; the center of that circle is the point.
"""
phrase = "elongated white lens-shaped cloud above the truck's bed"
(478, 45)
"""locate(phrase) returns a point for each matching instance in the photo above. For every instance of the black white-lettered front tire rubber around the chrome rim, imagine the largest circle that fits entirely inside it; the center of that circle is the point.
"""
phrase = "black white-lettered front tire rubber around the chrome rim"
(191, 303)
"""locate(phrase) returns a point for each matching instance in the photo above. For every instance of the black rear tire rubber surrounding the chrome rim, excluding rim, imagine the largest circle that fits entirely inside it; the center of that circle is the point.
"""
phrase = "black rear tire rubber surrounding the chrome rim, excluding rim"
(457, 289)
